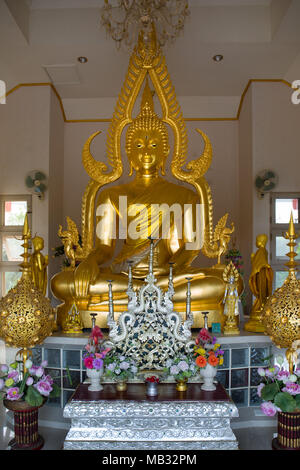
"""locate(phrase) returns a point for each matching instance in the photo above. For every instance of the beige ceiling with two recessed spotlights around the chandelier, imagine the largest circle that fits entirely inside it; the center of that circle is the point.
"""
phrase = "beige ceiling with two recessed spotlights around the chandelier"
(258, 39)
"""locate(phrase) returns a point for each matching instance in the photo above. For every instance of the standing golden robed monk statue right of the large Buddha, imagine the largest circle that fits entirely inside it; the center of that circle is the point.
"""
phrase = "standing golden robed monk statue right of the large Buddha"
(260, 282)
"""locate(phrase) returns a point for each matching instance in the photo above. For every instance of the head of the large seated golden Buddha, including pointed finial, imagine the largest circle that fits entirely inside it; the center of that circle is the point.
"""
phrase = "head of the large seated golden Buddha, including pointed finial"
(147, 144)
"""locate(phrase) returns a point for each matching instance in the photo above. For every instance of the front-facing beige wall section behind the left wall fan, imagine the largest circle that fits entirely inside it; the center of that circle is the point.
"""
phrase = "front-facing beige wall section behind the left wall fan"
(24, 146)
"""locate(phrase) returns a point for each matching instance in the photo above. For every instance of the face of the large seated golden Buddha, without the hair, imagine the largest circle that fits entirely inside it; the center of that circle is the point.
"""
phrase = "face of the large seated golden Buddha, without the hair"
(147, 152)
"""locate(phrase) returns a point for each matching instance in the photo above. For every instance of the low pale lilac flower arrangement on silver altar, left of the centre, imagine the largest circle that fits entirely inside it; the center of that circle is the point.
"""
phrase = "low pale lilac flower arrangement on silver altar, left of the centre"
(119, 367)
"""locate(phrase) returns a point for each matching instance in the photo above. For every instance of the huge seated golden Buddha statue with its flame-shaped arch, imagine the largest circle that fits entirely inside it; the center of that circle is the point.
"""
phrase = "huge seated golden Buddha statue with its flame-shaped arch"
(148, 205)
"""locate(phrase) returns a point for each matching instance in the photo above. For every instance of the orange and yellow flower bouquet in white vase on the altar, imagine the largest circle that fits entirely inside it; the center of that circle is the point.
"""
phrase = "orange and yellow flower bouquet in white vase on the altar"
(207, 350)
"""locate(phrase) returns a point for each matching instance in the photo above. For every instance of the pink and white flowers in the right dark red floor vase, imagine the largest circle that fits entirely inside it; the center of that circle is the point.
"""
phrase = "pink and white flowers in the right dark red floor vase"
(279, 390)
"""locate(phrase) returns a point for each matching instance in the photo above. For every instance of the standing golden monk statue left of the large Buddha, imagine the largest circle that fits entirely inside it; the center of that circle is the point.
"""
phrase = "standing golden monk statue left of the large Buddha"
(39, 264)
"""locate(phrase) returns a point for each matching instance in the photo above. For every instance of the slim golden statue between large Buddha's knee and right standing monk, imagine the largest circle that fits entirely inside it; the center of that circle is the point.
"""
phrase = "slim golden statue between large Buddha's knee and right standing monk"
(231, 300)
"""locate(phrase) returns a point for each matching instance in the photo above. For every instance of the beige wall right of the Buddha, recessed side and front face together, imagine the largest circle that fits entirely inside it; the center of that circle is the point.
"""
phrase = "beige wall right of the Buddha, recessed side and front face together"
(268, 139)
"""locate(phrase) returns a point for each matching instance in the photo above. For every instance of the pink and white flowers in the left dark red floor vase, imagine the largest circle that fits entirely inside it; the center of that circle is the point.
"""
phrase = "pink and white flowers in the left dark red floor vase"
(33, 387)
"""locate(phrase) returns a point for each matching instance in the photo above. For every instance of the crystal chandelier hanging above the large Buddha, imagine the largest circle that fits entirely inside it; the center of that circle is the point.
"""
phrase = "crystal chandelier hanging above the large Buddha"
(124, 19)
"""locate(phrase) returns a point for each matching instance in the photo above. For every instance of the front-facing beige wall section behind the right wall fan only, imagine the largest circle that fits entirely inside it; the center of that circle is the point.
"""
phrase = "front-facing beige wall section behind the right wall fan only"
(276, 122)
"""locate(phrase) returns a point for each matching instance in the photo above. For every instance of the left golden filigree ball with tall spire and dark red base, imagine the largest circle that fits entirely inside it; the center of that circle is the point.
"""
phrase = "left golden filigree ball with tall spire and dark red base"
(26, 319)
